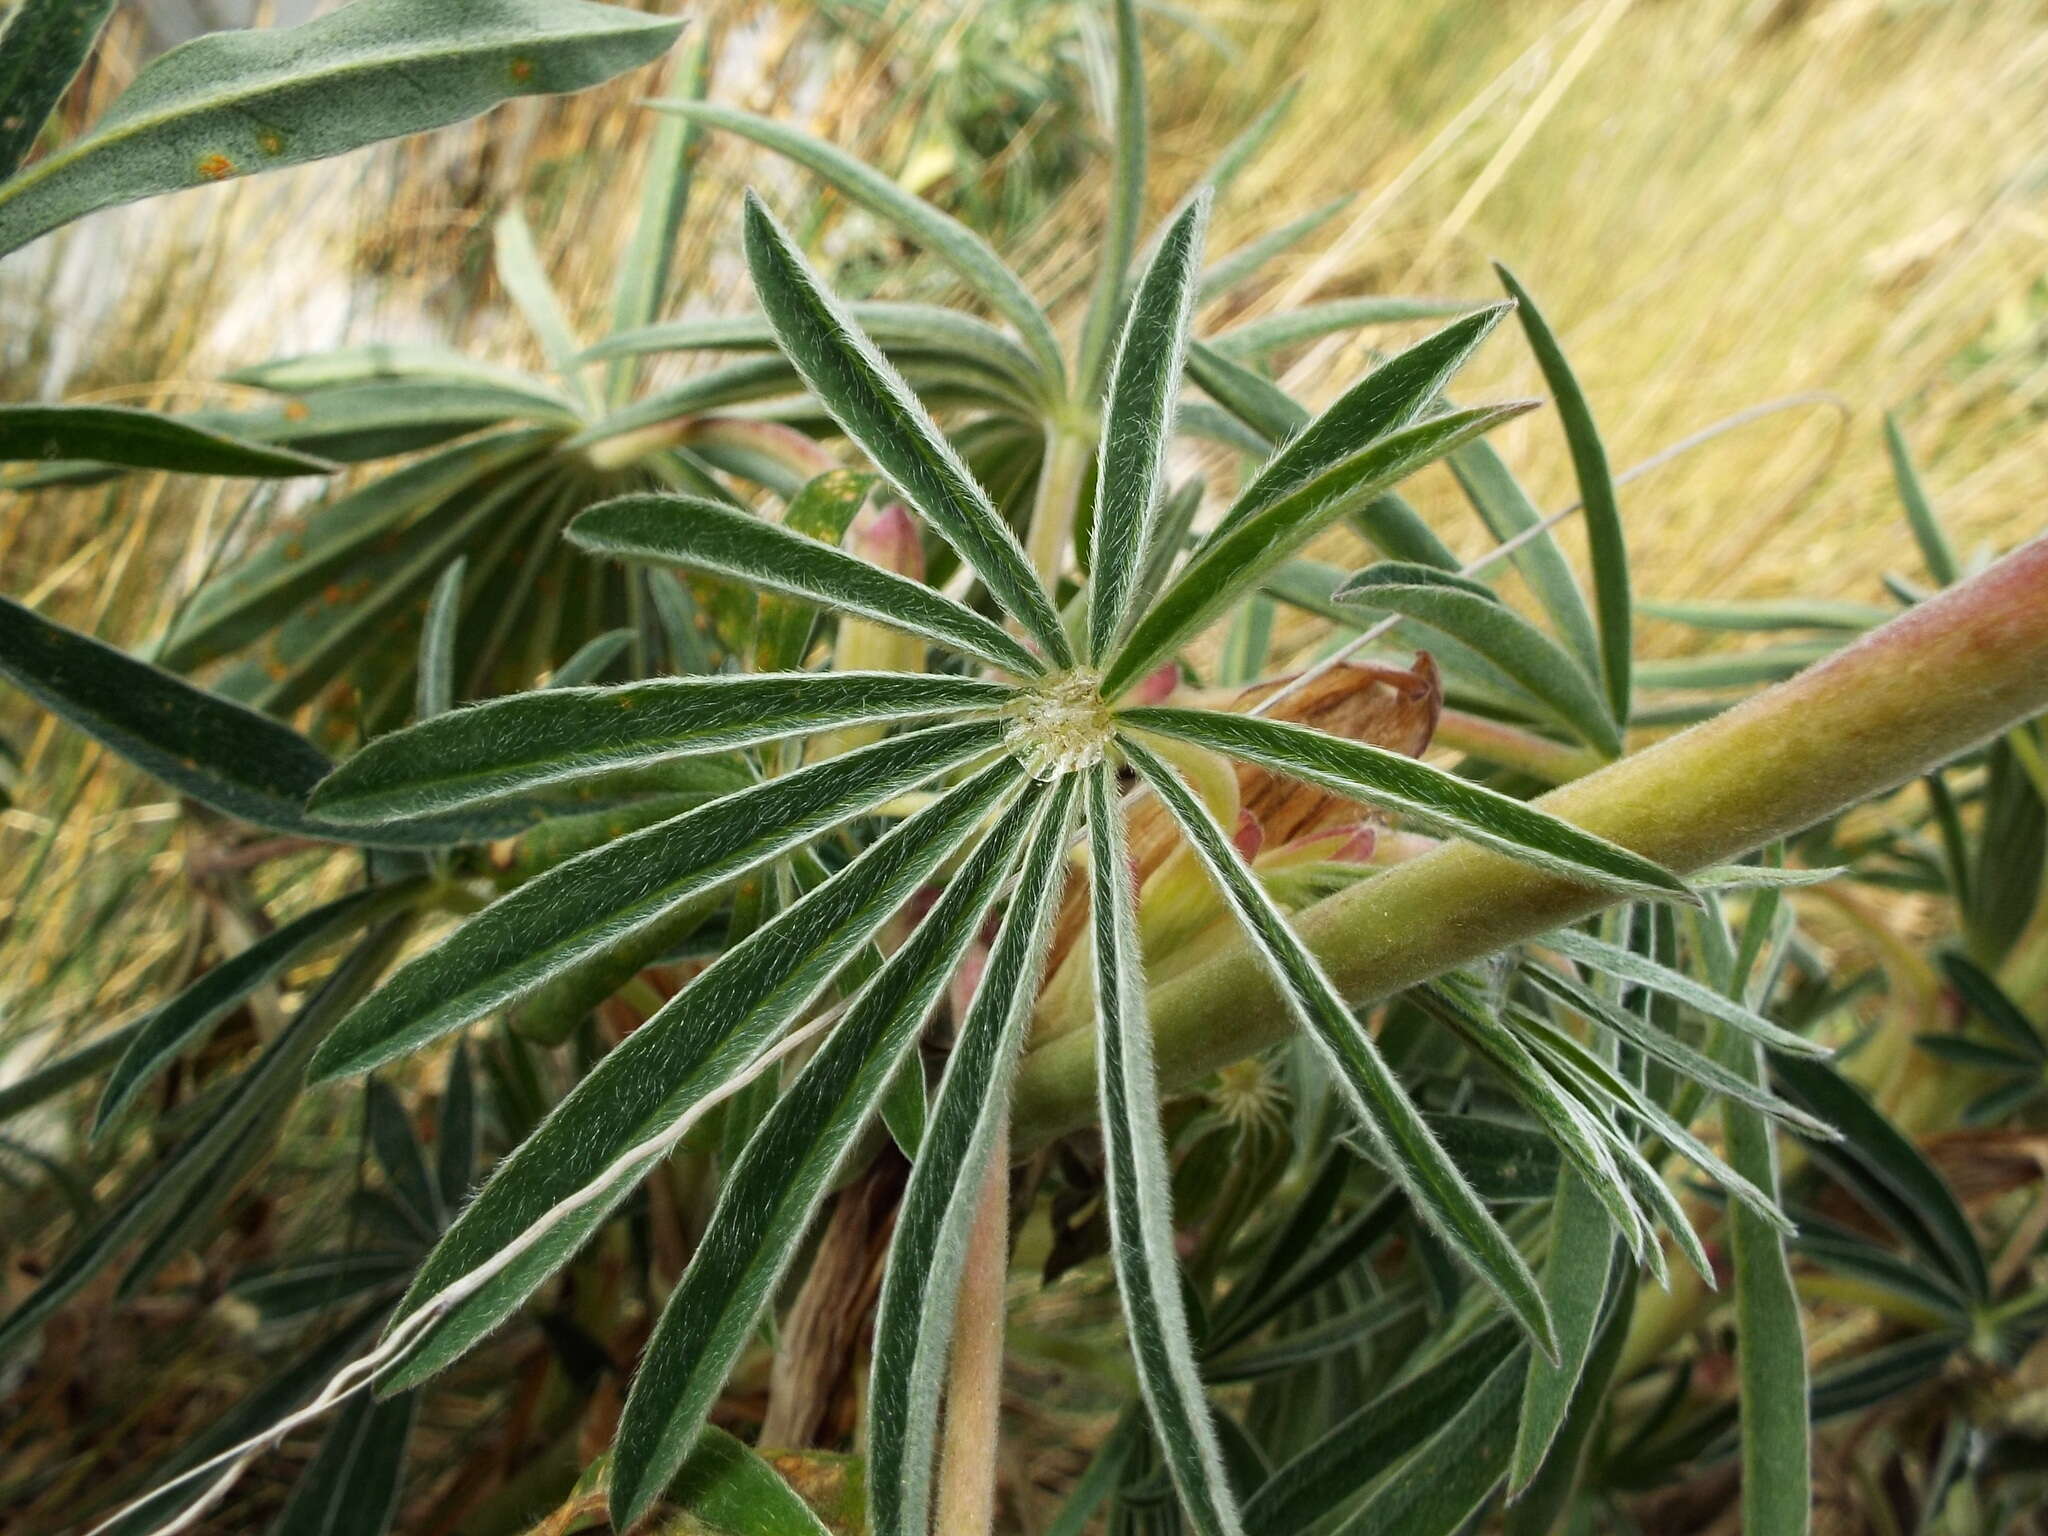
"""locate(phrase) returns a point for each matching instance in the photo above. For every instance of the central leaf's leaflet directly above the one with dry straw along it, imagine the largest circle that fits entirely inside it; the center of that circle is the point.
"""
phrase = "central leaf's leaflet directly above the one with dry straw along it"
(613, 892)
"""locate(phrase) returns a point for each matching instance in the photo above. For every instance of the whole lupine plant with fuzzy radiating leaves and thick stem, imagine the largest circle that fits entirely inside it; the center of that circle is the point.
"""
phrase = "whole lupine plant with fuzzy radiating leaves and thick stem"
(1385, 1142)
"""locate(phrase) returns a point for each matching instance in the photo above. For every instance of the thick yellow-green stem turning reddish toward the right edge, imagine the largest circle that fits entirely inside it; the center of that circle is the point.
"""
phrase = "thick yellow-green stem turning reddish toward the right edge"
(1914, 693)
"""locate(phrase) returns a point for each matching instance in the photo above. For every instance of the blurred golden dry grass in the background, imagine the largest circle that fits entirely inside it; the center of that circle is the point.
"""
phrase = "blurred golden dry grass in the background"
(1719, 204)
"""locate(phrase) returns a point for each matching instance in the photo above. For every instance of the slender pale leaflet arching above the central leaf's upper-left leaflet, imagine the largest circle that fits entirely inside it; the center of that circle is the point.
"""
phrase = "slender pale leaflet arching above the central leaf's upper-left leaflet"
(951, 241)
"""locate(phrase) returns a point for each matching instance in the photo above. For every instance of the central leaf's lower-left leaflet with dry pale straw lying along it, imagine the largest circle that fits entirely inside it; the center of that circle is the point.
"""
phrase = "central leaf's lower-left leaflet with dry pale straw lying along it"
(546, 1201)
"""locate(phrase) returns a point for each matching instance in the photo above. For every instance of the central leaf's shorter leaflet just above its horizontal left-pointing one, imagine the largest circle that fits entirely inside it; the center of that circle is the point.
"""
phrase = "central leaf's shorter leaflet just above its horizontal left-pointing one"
(710, 538)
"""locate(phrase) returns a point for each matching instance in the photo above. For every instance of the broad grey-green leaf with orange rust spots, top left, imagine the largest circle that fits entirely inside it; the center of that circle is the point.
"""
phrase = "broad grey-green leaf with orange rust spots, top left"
(243, 101)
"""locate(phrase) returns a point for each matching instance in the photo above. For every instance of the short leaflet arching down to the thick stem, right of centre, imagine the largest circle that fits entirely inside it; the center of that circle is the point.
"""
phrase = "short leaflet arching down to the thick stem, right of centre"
(1496, 632)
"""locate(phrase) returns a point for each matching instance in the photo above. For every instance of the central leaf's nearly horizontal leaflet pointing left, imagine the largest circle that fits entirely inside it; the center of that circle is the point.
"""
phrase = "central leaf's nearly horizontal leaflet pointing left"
(523, 742)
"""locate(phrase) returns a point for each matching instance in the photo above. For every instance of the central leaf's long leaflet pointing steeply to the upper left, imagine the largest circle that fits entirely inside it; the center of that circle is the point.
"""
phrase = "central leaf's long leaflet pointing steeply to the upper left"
(892, 427)
